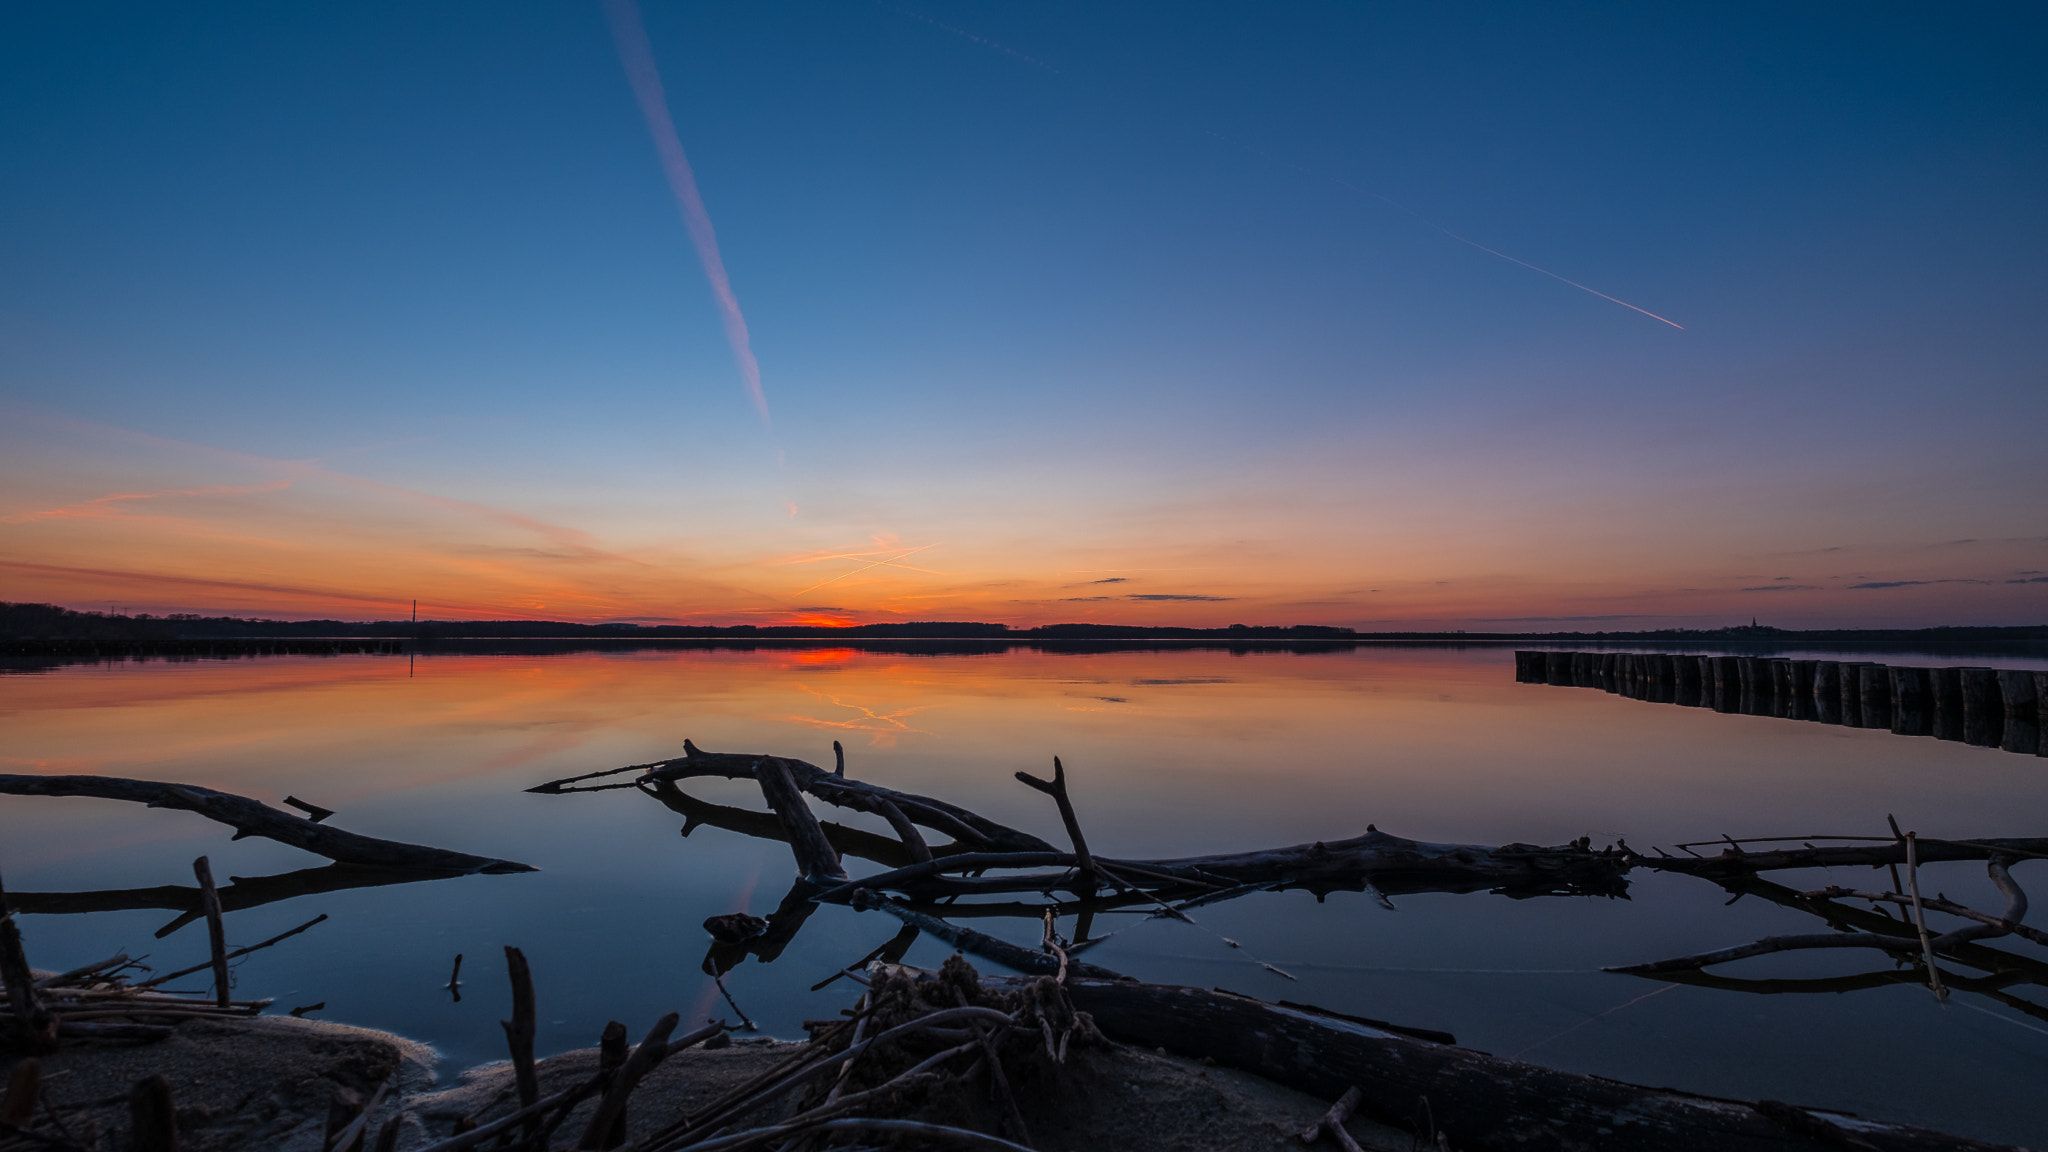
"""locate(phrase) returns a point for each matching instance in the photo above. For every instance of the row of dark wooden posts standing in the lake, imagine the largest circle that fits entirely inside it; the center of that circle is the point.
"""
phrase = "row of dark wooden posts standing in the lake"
(1994, 708)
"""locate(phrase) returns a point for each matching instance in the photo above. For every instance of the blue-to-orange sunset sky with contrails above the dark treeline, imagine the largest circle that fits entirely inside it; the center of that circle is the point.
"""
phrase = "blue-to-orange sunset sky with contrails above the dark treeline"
(1361, 315)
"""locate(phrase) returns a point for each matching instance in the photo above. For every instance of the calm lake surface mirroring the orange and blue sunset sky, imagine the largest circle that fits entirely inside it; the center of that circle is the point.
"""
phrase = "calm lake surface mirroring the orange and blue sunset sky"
(1172, 753)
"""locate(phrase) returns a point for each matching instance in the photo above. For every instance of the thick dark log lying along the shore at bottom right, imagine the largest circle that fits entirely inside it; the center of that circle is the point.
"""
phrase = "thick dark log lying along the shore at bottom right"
(1478, 1102)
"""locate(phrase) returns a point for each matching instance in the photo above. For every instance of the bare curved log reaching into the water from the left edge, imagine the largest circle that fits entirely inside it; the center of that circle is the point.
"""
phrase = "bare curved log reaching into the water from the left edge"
(255, 819)
